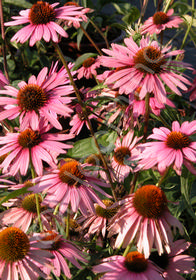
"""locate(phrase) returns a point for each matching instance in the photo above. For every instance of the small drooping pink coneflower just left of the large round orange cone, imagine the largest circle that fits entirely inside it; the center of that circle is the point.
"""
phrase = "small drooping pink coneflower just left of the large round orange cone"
(97, 222)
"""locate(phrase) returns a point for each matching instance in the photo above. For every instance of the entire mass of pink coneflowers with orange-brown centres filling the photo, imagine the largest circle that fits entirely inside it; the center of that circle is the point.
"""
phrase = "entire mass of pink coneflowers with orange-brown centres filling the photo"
(140, 77)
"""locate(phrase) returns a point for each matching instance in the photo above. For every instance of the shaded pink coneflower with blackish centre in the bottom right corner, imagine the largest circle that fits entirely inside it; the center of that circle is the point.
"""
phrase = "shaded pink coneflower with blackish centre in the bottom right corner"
(174, 262)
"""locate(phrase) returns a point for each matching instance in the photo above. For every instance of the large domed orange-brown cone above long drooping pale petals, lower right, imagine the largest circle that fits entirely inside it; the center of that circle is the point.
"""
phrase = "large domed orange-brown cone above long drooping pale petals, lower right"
(150, 201)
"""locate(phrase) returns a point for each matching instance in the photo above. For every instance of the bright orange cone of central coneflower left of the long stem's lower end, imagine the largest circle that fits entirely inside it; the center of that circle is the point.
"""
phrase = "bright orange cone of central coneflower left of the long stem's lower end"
(71, 173)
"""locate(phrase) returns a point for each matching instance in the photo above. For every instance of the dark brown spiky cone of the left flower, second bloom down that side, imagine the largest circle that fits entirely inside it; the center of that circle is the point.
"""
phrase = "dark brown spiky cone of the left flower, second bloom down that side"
(31, 98)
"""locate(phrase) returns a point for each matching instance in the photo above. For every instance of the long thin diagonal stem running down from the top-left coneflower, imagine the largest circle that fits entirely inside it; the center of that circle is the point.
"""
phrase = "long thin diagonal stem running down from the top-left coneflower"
(85, 113)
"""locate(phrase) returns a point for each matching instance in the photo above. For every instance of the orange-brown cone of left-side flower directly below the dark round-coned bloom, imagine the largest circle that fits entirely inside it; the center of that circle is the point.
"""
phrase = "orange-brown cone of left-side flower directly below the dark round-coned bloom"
(29, 138)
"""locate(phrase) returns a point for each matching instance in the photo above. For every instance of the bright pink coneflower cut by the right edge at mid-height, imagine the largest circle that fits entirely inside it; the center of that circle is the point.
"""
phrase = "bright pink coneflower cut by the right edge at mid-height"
(174, 148)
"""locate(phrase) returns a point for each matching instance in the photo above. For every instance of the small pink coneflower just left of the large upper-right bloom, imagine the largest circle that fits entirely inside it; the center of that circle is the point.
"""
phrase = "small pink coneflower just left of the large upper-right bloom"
(88, 68)
